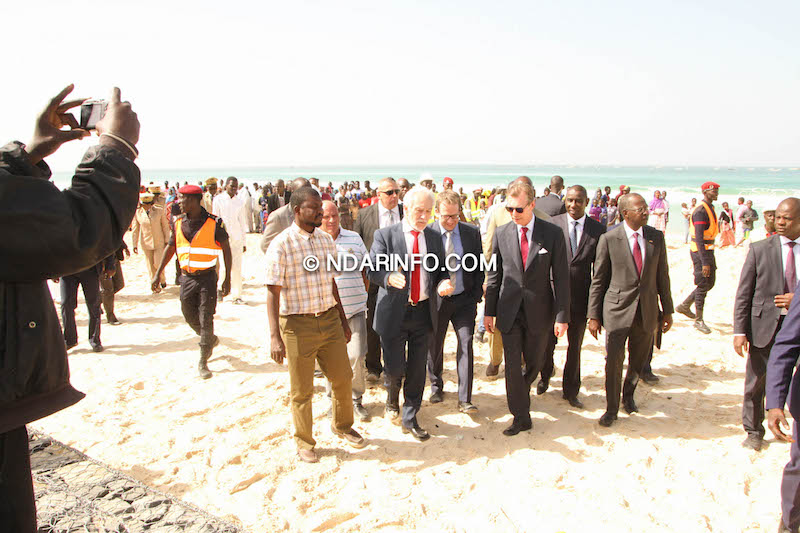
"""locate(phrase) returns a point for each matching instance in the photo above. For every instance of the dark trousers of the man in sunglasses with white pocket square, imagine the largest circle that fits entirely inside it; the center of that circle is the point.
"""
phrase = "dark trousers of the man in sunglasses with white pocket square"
(518, 344)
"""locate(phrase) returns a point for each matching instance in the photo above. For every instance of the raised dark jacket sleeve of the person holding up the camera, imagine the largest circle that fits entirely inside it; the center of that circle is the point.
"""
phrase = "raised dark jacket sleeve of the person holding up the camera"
(48, 233)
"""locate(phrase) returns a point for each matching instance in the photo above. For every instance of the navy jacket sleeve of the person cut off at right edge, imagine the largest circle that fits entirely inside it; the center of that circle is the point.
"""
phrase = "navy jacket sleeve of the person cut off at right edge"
(783, 357)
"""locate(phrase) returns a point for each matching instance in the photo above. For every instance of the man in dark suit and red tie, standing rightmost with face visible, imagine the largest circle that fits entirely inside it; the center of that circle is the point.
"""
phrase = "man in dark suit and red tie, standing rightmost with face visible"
(765, 291)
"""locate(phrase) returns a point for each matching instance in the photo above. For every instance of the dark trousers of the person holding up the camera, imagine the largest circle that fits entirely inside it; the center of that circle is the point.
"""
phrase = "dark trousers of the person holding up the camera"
(17, 503)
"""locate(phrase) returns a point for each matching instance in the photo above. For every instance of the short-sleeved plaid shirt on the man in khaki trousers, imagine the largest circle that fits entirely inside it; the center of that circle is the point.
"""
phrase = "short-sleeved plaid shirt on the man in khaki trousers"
(302, 292)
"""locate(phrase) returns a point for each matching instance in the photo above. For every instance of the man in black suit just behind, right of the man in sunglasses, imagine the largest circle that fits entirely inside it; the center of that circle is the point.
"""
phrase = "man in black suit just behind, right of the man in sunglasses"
(581, 234)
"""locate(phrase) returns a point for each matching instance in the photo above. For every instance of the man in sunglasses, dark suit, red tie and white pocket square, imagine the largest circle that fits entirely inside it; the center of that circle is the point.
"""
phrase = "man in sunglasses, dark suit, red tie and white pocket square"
(529, 253)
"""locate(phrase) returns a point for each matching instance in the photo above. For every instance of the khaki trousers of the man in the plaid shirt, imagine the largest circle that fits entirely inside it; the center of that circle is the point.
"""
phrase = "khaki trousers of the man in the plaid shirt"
(309, 339)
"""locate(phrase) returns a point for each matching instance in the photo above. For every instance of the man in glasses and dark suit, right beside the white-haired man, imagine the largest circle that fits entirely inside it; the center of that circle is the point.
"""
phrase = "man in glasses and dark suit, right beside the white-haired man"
(459, 239)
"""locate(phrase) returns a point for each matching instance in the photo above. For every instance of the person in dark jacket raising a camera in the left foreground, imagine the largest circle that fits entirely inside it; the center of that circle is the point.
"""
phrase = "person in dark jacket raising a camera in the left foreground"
(47, 234)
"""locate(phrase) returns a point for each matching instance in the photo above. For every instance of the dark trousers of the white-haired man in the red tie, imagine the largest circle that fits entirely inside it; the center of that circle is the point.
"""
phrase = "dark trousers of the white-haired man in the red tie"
(409, 364)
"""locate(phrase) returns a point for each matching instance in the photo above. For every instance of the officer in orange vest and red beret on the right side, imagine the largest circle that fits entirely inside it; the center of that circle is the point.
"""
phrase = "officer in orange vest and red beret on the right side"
(704, 221)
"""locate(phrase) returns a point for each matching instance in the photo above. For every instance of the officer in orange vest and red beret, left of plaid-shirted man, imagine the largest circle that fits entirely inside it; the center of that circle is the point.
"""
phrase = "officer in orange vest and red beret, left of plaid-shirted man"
(198, 237)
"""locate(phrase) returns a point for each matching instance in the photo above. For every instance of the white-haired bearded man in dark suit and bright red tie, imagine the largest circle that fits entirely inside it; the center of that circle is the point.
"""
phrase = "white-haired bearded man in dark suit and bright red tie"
(403, 311)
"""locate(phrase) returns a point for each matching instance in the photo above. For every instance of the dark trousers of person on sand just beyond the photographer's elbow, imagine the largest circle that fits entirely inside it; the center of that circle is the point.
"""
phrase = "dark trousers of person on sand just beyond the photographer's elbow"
(89, 280)
